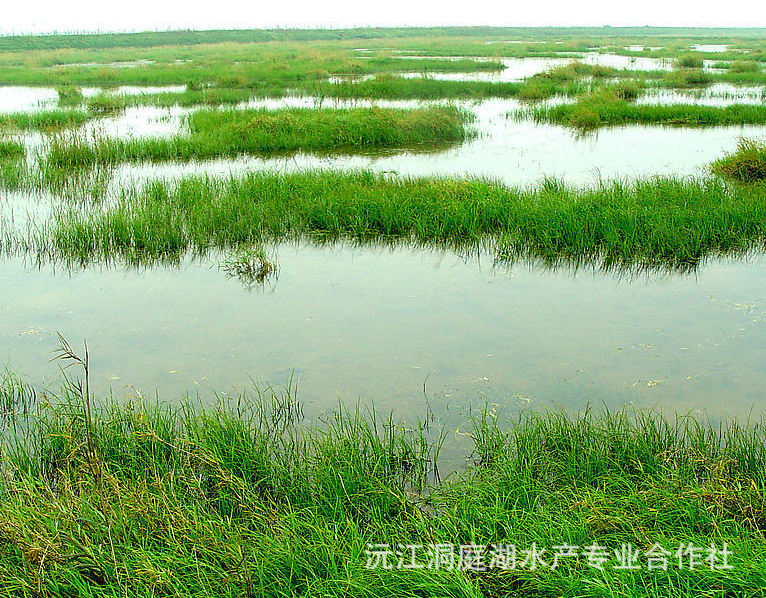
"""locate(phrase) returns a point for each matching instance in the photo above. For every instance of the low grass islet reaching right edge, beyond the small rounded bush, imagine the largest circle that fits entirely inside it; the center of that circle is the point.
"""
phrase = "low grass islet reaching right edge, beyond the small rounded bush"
(598, 110)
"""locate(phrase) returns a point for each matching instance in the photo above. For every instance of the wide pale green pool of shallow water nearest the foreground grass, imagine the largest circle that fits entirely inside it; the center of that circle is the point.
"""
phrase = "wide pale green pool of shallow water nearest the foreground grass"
(379, 324)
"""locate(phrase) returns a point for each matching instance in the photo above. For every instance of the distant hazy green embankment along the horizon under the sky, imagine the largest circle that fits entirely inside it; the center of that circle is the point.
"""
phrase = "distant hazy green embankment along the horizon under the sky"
(192, 37)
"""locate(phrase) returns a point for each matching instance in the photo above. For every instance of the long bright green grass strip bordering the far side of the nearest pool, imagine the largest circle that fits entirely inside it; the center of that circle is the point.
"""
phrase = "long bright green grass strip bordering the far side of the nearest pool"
(660, 221)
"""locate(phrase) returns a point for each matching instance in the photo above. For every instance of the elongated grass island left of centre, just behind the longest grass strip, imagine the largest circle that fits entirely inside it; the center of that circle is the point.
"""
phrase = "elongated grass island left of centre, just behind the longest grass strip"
(215, 133)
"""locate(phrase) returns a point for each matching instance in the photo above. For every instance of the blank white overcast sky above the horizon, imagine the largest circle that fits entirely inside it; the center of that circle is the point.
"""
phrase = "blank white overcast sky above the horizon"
(21, 16)
